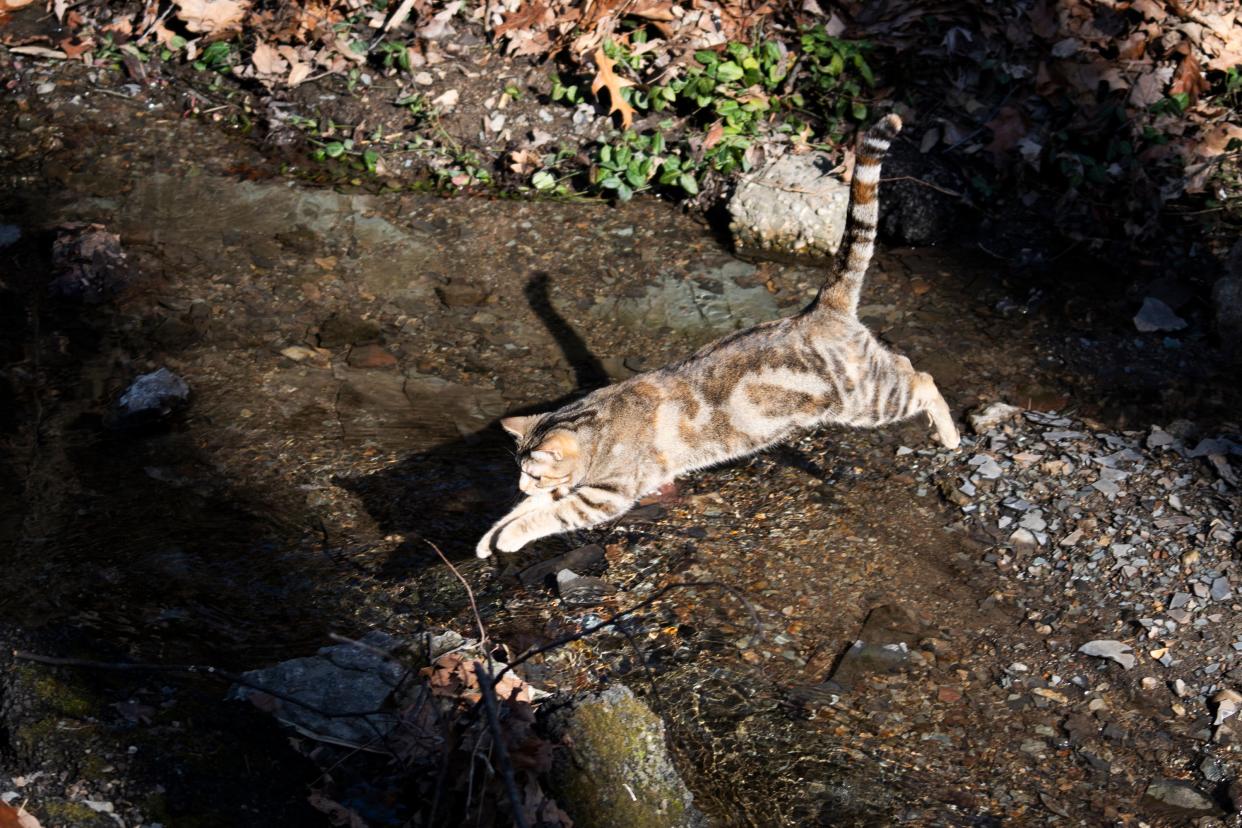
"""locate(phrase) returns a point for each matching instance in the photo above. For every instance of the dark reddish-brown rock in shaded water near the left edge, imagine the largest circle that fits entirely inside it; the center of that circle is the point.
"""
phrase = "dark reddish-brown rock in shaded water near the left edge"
(89, 264)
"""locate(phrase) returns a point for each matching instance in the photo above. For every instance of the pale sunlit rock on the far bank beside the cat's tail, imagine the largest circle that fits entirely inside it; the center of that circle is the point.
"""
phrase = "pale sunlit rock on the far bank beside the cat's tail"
(792, 207)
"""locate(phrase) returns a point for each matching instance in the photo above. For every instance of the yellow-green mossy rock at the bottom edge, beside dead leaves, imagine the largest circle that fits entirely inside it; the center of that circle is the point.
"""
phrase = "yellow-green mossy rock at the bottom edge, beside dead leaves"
(618, 773)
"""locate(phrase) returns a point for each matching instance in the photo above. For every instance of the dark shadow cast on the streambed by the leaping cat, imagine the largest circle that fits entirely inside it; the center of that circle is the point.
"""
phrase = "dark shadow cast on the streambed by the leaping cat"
(453, 493)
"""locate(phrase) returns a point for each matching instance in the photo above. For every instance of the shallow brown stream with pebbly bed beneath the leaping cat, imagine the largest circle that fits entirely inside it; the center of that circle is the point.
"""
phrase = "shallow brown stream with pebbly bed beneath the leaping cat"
(348, 356)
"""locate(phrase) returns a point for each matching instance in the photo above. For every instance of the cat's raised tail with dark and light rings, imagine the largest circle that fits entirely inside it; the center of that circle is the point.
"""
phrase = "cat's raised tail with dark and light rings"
(860, 238)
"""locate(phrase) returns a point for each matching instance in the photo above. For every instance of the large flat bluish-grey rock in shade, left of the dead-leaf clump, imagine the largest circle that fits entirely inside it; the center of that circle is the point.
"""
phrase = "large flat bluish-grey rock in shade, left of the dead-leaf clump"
(341, 680)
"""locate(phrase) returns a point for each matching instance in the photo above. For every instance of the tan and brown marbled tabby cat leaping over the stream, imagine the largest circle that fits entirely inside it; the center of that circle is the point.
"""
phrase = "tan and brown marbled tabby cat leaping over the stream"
(591, 461)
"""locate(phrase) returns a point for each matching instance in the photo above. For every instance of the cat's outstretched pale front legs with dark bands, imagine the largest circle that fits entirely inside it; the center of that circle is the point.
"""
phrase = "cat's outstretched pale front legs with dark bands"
(540, 517)
